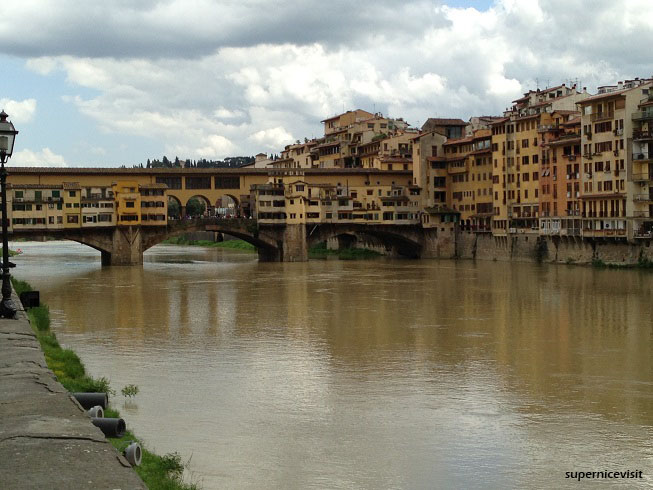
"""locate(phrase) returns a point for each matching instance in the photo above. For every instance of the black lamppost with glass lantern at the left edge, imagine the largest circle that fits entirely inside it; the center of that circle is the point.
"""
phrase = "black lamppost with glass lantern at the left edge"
(7, 137)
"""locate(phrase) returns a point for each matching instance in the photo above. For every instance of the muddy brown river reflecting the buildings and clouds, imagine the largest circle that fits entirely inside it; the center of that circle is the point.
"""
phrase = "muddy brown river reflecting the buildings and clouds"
(371, 374)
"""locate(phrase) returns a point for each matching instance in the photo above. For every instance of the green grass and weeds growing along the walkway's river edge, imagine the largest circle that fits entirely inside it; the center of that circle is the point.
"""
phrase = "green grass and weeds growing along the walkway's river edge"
(158, 472)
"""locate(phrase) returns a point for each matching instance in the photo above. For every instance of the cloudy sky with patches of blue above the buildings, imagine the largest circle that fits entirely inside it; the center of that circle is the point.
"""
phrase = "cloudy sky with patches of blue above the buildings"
(97, 83)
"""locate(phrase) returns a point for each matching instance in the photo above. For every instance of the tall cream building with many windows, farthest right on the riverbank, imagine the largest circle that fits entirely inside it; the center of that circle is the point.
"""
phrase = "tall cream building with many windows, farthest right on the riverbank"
(616, 193)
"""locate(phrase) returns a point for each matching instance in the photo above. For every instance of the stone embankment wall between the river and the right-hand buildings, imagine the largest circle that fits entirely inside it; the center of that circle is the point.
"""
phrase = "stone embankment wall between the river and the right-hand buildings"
(528, 247)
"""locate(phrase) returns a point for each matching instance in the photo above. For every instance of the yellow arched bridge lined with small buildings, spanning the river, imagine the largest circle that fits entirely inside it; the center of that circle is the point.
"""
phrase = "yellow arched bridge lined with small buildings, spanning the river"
(122, 212)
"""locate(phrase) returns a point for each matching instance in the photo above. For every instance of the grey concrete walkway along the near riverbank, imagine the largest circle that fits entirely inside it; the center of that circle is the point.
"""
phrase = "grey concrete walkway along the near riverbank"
(46, 439)
